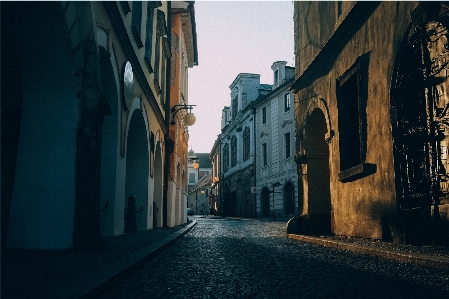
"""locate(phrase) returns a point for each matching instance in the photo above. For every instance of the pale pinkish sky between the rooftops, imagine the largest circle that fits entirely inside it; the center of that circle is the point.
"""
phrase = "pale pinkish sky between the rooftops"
(233, 37)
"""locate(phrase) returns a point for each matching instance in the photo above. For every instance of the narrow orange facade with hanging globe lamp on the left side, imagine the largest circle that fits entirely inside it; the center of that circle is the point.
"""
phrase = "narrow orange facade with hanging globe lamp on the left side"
(184, 56)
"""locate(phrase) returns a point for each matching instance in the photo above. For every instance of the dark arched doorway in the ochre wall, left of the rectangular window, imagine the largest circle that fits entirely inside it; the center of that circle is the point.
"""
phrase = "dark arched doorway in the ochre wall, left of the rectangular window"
(318, 174)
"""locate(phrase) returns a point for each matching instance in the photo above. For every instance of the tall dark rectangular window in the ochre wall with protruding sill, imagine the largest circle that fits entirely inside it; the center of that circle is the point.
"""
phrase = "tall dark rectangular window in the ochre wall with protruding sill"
(350, 118)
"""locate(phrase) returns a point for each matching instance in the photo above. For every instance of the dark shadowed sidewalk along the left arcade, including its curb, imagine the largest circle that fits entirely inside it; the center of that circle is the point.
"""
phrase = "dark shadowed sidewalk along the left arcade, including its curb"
(71, 274)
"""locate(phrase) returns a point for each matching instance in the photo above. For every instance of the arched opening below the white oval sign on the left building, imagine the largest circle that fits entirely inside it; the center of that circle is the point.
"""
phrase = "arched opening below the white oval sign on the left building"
(137, 166)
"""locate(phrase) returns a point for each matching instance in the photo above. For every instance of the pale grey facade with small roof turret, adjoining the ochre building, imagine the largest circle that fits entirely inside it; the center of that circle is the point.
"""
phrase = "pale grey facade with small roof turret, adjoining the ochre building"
(276, 175)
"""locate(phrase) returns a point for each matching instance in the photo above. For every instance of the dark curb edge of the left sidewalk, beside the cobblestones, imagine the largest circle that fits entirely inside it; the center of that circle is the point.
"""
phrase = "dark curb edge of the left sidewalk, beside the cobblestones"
(91, 284)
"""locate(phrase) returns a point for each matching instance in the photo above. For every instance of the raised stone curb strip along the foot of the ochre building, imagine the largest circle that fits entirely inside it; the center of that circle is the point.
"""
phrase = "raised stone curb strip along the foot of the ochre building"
(404, 257)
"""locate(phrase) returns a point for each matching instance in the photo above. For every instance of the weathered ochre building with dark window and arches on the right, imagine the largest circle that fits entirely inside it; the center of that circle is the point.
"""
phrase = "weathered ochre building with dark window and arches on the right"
(370, 98)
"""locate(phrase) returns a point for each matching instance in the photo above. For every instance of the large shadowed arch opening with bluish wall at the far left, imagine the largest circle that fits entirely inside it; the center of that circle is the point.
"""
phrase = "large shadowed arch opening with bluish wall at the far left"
(41, 177)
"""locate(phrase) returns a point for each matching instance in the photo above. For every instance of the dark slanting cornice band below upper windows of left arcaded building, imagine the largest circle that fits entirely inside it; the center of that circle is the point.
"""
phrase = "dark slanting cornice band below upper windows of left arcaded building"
(113, 12)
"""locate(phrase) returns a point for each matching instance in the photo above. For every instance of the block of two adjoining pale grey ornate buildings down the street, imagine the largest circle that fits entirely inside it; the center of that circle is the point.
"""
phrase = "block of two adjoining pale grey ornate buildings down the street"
(256, 145)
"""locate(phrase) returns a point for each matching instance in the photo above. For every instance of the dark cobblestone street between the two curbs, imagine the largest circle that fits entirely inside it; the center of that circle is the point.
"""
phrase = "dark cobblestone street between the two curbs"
(225, 258)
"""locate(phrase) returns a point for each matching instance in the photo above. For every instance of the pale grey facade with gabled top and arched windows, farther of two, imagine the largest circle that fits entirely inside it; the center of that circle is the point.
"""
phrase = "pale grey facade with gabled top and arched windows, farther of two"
(237, 146)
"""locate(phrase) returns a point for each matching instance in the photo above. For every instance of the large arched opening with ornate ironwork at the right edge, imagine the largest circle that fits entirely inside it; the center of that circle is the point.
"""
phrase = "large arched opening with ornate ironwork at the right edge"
(419, 105)
